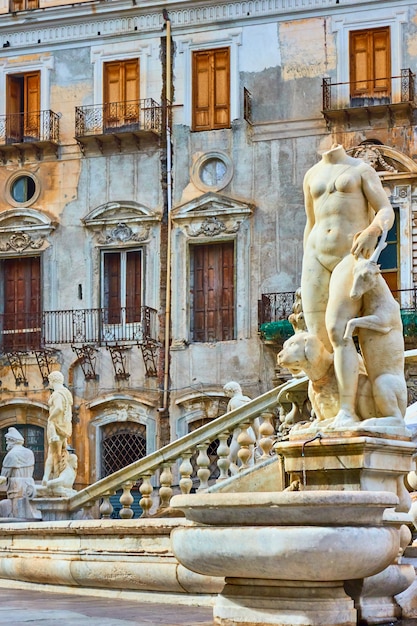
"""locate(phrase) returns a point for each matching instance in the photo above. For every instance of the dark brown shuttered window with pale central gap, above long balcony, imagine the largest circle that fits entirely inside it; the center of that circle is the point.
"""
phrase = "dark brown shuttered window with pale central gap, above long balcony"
(122, 286)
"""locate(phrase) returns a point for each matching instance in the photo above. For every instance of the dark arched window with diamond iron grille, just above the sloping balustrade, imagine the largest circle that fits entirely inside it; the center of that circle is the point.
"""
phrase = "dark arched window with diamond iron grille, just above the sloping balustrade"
(122, 443)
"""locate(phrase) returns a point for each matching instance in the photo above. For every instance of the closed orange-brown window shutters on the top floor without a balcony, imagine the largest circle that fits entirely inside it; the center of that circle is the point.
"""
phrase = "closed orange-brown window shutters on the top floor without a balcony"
(211, 89)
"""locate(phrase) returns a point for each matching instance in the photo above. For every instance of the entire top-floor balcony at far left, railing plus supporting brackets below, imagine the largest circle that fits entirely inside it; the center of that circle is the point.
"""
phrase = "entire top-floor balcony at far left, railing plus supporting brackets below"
(23, 132)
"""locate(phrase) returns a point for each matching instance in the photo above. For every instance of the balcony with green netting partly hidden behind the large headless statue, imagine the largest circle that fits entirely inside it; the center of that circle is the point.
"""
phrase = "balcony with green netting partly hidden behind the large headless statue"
(274, 309)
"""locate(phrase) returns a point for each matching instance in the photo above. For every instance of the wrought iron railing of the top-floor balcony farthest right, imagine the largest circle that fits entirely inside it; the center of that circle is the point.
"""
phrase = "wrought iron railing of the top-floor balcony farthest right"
(367, 93)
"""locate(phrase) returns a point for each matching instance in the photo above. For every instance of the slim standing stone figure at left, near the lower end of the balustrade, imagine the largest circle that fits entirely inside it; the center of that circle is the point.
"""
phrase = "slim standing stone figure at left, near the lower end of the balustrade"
(59, 429)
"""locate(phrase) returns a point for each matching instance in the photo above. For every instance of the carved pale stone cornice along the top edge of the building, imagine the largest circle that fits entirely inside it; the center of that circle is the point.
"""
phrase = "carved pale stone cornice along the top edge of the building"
(71, 23)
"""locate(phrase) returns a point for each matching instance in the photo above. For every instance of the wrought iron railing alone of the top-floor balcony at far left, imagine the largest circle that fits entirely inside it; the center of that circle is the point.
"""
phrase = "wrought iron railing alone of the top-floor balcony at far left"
(33, 127)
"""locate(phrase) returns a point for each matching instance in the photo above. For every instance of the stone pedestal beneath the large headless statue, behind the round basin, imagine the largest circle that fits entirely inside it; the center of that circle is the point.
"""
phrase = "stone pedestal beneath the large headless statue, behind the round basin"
(366, 463)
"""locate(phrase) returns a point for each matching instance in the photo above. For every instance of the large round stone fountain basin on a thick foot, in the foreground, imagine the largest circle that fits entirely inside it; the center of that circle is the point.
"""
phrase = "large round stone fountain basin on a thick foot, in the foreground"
(285, 555)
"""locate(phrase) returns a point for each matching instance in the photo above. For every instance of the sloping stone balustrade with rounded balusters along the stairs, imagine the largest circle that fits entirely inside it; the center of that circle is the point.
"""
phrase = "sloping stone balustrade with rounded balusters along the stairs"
(175, 460)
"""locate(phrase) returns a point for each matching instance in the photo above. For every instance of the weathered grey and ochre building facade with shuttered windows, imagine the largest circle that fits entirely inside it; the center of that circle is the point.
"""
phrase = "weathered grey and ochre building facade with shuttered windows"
(101, 182)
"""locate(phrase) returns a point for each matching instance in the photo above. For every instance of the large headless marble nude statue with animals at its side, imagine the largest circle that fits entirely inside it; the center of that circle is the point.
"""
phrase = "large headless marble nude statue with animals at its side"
(343, 293)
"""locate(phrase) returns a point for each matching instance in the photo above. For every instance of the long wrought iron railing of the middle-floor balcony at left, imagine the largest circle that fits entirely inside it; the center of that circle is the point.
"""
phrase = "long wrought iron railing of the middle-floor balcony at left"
(35, 331)
